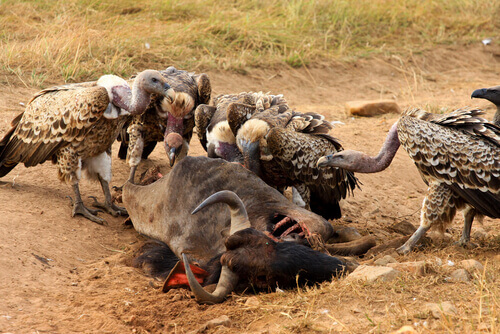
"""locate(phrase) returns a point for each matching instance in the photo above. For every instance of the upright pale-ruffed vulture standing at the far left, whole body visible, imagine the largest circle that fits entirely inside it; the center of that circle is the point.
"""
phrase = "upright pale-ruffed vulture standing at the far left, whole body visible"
(74, 126)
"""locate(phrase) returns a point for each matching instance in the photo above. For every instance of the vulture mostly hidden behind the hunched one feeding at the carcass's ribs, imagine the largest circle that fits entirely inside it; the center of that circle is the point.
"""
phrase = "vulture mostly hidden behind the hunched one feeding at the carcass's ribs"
(214, 131)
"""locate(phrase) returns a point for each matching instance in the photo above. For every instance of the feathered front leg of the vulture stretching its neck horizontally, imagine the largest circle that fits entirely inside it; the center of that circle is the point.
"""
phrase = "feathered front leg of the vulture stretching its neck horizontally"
(438, 208)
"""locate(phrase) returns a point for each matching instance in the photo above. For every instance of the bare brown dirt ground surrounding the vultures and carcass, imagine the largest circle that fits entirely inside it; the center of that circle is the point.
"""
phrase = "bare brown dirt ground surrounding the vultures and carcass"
(60, 274)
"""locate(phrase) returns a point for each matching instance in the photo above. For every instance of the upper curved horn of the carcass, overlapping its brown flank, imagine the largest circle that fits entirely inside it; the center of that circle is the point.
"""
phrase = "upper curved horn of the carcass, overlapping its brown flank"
(239, 216)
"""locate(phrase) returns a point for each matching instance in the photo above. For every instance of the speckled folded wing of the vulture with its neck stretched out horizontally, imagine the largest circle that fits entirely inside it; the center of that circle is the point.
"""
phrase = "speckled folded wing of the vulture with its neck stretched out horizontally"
(460, 149)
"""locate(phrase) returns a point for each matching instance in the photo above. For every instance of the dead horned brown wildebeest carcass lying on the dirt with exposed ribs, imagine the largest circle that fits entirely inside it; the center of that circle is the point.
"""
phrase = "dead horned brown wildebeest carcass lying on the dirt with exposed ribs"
(261, 255)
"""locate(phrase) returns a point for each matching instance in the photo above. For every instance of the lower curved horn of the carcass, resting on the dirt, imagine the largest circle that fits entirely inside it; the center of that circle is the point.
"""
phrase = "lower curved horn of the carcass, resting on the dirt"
(226, 284)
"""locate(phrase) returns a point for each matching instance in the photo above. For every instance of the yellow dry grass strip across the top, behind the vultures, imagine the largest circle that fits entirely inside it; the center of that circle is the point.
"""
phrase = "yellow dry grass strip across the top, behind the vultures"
(52, 41)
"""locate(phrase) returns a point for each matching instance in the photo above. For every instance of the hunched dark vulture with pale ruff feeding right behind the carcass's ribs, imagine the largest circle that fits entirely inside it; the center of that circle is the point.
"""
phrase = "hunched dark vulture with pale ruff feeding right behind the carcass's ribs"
(282, 147)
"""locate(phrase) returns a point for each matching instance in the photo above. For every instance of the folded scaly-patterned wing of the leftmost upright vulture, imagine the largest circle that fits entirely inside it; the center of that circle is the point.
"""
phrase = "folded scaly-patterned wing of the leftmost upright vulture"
(54, 118)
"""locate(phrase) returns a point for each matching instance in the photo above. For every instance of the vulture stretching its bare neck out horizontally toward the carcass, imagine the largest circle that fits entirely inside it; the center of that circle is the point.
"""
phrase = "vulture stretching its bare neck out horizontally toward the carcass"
(458, 157)
